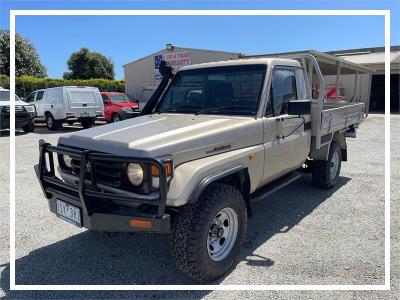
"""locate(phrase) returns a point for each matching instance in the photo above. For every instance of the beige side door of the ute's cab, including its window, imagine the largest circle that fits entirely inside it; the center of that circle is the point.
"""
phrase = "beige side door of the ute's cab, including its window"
(287, 138)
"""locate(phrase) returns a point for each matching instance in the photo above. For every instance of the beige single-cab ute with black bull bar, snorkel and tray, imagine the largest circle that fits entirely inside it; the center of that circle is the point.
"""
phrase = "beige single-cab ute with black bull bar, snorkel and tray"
(212, 137)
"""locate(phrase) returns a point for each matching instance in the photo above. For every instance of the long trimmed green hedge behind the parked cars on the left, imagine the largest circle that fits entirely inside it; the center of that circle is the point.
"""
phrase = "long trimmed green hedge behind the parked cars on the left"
(27, 84)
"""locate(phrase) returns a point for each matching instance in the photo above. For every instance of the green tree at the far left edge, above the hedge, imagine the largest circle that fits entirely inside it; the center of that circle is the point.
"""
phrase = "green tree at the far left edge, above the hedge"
(27, 61)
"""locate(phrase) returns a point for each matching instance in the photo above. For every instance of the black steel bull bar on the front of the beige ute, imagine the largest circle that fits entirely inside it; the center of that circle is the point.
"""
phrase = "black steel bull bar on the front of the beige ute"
(101, 210)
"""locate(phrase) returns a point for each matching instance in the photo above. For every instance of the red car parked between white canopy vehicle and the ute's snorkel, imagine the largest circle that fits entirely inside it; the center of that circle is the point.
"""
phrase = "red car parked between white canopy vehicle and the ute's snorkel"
(118, 107)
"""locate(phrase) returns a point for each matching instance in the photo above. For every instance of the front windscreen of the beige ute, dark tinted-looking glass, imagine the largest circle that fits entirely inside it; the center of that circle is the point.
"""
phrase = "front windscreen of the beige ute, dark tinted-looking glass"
(231, 90)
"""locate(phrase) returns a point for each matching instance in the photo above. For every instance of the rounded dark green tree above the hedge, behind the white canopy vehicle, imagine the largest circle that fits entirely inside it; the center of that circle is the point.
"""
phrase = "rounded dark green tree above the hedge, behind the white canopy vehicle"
(85, 64)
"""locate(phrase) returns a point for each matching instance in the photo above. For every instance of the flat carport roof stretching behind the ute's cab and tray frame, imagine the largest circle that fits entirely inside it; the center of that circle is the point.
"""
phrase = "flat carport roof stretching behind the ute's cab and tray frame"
(327, 62)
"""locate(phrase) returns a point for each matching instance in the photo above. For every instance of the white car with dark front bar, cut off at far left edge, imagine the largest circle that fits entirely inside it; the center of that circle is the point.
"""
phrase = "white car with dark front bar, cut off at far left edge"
(24, 113)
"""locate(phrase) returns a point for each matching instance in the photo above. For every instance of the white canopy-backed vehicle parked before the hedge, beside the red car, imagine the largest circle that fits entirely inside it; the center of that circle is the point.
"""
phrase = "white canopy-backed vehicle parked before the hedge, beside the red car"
(67, 104)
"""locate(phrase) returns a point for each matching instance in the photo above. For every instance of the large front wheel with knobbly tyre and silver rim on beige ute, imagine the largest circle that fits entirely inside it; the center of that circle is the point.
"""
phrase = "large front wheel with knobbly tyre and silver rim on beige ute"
(209, 234)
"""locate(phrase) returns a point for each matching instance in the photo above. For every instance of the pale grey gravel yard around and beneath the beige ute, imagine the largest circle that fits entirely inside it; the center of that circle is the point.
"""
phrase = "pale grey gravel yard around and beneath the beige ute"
(299, 235)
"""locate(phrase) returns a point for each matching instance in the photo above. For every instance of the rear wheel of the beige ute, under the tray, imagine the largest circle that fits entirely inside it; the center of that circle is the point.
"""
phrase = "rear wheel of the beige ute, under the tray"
(325, 173)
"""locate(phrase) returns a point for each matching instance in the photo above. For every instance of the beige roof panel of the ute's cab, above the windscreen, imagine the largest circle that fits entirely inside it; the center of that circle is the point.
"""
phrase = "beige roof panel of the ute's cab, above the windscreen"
(241, 62)
